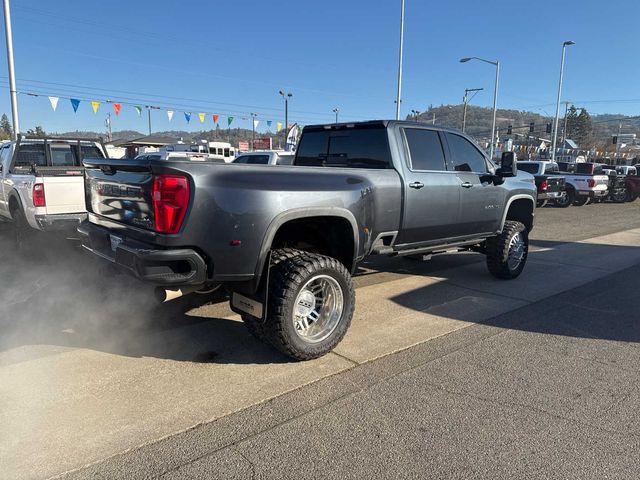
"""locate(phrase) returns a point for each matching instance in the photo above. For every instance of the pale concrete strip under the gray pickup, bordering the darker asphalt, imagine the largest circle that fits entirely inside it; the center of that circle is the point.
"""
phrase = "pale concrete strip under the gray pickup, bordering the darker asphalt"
(74, 406)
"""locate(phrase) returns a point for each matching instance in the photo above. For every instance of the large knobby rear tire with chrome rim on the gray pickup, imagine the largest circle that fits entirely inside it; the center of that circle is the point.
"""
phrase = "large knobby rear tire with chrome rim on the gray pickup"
(311, 304)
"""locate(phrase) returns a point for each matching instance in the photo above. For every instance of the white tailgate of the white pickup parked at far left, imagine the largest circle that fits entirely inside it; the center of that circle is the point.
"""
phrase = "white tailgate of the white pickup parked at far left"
(64, 190)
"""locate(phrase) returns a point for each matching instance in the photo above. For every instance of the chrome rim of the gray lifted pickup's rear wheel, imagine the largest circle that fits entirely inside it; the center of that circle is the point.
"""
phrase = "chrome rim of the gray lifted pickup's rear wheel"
(318, 309)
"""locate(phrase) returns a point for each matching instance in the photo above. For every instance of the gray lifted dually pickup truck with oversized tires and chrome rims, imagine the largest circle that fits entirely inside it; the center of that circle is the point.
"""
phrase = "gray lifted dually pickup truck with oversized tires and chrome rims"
(285, 241)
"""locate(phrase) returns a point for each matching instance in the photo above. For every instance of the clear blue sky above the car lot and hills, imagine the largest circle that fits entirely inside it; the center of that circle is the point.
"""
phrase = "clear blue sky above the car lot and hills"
(232, 56)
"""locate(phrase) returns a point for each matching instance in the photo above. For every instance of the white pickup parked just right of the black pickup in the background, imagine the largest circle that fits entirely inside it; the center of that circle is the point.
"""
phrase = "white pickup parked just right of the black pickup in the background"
(588, 182)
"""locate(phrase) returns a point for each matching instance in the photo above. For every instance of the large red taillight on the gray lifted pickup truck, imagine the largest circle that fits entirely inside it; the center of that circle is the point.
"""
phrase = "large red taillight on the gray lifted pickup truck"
(170, 202)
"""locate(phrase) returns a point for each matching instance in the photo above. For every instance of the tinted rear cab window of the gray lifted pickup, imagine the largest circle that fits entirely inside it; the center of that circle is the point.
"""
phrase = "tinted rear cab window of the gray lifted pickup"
(350, 148)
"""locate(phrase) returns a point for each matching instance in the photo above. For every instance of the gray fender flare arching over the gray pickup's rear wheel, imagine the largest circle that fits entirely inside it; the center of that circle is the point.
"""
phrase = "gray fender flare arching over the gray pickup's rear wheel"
(296, 214)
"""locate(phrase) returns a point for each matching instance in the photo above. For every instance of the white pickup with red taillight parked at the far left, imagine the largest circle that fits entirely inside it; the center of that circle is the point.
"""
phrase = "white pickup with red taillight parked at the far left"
(42, 184)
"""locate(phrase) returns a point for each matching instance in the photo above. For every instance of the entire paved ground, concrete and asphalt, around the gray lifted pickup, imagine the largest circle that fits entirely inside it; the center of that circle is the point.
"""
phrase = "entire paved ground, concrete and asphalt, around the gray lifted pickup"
(445, 370)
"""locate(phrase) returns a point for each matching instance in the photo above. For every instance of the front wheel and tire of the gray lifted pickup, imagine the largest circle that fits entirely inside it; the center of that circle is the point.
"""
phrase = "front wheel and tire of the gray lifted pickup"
(507, 252)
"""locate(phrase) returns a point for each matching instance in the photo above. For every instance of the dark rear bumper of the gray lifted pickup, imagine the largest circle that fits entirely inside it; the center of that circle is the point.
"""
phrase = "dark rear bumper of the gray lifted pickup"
(170, 267)
